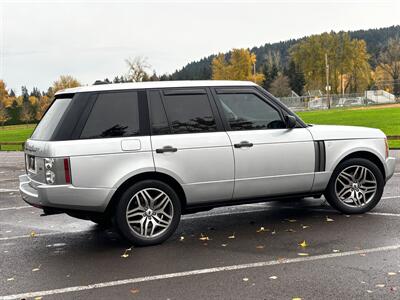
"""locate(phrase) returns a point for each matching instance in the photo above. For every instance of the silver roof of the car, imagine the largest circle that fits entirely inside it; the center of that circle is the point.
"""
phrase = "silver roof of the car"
(155, 84)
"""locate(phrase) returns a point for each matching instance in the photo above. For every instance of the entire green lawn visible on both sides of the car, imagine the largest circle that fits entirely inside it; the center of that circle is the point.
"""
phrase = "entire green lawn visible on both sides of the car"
(386, 119)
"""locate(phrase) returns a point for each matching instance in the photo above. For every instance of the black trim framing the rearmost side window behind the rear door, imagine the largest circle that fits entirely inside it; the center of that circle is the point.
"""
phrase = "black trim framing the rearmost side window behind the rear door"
(144, 126)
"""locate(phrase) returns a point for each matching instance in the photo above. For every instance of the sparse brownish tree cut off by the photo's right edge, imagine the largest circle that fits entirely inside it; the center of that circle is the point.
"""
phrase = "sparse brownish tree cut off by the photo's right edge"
(390, 62)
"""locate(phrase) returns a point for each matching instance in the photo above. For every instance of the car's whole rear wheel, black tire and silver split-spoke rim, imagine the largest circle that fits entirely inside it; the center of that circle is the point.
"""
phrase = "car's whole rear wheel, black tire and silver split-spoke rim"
(148, 213)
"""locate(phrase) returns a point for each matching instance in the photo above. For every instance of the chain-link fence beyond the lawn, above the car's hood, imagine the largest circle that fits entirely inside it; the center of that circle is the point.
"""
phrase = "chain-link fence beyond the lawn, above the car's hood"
(337, 101)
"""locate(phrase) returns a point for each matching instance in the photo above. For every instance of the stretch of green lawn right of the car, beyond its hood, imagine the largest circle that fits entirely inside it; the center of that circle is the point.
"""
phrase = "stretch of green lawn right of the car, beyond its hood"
(386, 119)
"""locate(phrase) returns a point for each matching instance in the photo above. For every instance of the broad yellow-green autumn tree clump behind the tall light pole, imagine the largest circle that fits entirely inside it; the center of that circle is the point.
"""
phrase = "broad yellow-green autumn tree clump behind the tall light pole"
(349, 69)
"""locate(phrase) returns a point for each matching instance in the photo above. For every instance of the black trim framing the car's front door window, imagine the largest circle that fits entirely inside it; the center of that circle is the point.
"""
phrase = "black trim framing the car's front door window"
(243, 90)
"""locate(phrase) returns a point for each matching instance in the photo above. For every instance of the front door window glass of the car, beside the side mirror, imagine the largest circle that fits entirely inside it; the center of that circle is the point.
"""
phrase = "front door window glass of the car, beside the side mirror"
(249, 112)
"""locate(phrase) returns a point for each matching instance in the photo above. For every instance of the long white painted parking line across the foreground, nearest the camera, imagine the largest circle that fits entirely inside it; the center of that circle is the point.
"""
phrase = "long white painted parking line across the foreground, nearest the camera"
(198, 272)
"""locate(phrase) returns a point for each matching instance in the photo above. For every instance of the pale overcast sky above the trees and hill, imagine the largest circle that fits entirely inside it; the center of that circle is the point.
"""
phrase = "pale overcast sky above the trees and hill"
(41, 40)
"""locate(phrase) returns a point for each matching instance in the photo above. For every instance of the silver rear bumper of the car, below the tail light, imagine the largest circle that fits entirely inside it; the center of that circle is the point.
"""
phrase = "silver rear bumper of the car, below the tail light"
(64, 196)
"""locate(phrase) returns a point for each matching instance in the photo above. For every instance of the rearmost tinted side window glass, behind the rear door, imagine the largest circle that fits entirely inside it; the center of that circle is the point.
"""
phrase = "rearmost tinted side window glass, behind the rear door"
(113, 115)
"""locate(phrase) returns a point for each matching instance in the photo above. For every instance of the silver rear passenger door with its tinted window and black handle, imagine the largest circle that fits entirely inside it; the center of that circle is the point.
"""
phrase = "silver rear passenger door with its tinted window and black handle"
(189, 143)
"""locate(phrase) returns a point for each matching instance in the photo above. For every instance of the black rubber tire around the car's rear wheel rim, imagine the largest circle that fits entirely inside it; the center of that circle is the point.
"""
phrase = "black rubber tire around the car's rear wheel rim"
(121, 221)
